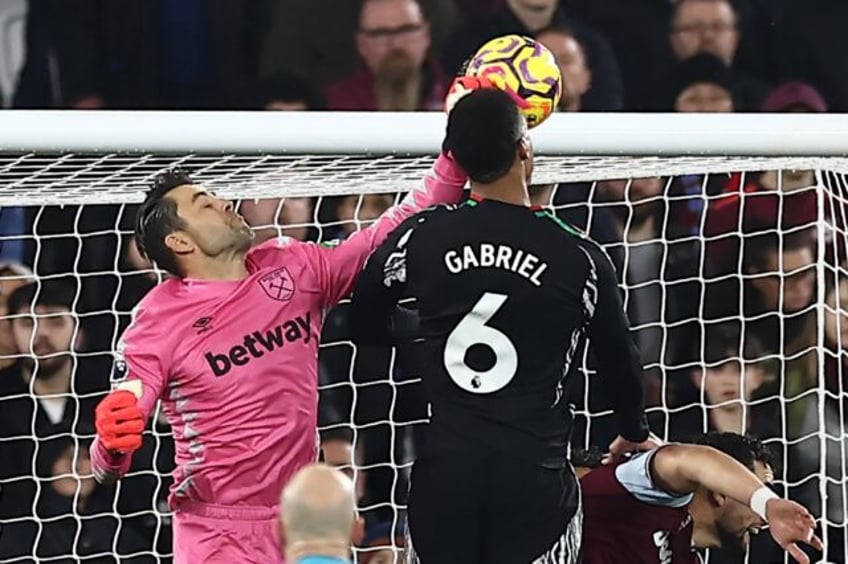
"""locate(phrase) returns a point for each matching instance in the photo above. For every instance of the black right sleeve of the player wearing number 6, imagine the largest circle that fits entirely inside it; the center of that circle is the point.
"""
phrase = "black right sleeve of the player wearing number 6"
(616, 352)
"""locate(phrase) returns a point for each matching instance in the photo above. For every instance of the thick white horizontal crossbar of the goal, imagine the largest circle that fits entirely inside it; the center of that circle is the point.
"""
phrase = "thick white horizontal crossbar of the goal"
(372, 133)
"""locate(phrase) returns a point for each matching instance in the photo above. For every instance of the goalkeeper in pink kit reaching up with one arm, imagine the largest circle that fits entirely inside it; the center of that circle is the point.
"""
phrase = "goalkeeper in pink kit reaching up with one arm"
(230, 346)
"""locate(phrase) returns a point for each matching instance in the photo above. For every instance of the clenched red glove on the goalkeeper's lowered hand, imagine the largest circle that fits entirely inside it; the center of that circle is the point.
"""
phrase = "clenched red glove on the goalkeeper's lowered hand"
(119, 422)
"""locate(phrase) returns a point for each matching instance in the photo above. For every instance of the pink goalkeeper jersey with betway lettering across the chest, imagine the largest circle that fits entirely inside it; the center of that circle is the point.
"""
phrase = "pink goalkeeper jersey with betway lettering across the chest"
(235, 363)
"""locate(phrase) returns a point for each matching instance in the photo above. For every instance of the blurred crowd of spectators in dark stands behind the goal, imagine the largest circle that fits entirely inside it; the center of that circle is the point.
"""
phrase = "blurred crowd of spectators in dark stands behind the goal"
(734, 283)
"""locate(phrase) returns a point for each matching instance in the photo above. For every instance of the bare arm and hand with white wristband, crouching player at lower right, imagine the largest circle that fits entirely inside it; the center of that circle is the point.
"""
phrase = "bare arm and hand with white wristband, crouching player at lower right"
(683, 468)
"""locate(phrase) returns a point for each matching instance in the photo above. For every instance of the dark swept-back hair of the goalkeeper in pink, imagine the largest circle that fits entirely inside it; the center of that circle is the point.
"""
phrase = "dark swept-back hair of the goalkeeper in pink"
(157, 218)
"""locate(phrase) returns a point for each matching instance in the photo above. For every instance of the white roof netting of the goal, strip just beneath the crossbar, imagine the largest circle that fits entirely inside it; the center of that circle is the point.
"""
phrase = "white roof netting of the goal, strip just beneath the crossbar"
(70, 178)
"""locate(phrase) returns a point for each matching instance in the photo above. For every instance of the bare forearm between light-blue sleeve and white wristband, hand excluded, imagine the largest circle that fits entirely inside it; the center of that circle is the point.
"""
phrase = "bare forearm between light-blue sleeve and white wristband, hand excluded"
(683, 468)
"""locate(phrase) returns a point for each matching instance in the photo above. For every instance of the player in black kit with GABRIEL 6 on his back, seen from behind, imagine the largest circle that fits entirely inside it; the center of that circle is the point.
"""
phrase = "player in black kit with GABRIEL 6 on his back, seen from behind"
(506, 294)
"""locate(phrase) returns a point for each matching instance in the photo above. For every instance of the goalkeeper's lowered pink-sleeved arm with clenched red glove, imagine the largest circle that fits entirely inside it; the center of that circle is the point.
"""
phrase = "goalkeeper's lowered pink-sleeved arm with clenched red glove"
(138, 380)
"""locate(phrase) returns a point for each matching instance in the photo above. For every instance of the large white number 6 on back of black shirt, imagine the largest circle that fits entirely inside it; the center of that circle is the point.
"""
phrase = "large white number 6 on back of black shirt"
(472, 330)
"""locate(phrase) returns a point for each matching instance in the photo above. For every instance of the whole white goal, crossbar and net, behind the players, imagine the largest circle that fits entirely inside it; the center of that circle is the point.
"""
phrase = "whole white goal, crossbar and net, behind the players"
(729, 234)
